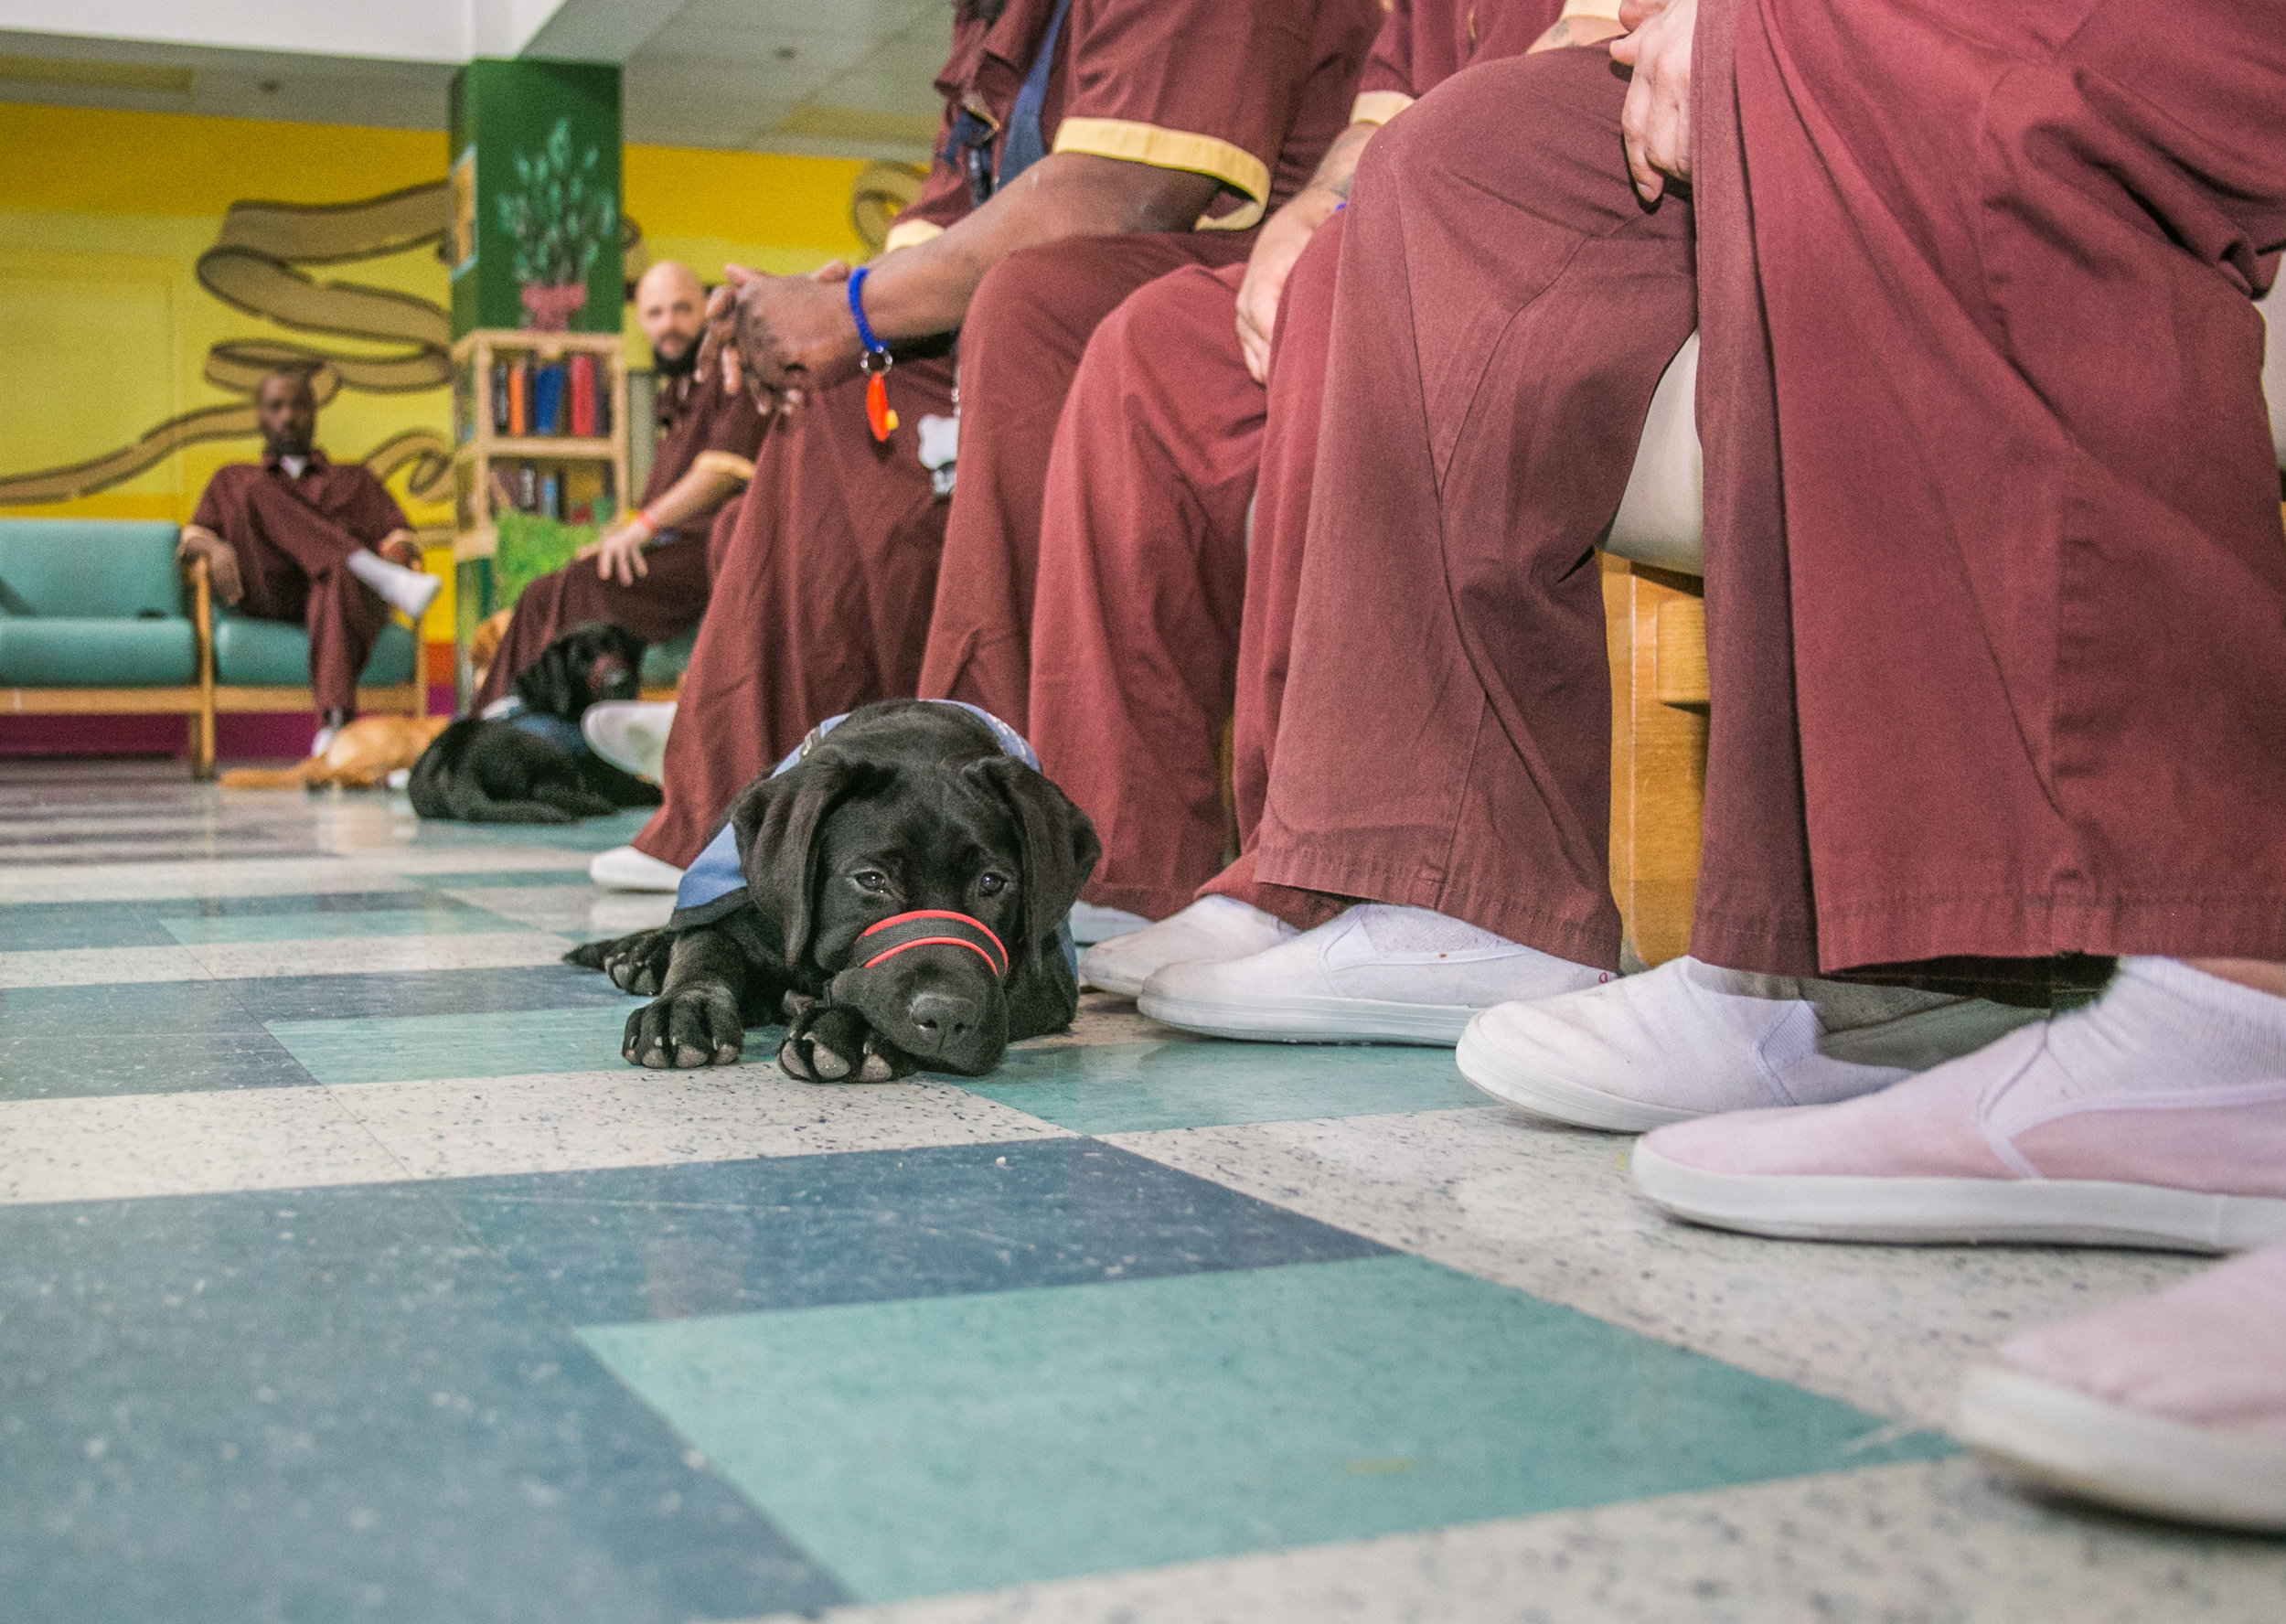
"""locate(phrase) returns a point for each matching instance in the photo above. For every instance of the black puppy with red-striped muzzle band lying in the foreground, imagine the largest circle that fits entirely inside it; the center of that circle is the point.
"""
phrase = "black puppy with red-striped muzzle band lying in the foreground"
(902, 909)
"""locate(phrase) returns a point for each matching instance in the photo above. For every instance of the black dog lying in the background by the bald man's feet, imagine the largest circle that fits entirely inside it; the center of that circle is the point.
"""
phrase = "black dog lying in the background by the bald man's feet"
(531, 765)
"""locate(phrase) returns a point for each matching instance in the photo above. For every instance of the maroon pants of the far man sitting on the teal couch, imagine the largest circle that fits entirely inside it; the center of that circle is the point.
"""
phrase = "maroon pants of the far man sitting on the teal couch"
(296, 566)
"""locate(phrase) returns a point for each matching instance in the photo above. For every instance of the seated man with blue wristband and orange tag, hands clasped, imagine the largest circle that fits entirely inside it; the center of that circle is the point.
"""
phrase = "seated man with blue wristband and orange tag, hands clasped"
(1149, 136)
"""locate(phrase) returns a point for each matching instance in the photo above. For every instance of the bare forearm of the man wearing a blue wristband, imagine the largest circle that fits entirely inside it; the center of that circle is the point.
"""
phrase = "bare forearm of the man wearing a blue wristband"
(927, 289)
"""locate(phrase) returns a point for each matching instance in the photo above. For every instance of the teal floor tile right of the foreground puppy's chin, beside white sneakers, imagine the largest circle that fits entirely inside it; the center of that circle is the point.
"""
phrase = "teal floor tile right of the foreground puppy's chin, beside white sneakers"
(1140, 1088)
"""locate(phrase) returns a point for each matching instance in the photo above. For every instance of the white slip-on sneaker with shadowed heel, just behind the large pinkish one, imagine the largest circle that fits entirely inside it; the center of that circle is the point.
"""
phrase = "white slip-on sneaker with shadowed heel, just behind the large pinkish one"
(1690, 1040)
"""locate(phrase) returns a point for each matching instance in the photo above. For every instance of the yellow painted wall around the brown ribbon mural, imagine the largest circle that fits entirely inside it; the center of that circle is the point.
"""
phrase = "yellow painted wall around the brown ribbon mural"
(104, 328)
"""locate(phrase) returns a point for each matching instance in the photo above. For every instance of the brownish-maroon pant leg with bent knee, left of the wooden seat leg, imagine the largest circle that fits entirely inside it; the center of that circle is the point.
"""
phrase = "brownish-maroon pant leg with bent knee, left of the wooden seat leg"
(1503, 312)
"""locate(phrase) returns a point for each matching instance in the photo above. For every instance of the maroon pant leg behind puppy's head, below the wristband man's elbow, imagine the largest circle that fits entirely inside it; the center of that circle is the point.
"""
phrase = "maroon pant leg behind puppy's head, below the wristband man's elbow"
(1021, 347)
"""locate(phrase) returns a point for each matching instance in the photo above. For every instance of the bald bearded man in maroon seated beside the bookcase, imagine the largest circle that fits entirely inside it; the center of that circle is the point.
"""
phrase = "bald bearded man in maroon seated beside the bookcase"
(650, 571)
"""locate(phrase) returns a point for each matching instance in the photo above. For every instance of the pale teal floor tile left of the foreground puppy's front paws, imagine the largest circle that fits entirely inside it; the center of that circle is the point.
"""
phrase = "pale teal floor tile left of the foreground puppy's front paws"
(399, 1049)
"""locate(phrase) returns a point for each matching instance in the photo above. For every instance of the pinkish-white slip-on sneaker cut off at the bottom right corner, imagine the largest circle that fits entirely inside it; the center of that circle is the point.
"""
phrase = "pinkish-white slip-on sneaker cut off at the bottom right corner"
(2171, 1406)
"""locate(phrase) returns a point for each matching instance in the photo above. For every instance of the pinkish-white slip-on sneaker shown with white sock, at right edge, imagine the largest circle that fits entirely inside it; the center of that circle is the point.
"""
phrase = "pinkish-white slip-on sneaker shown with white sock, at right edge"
(2155, 1117)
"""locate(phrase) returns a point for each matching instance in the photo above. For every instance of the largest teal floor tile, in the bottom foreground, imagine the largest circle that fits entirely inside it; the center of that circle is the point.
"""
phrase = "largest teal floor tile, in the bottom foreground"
(968, 1442)
